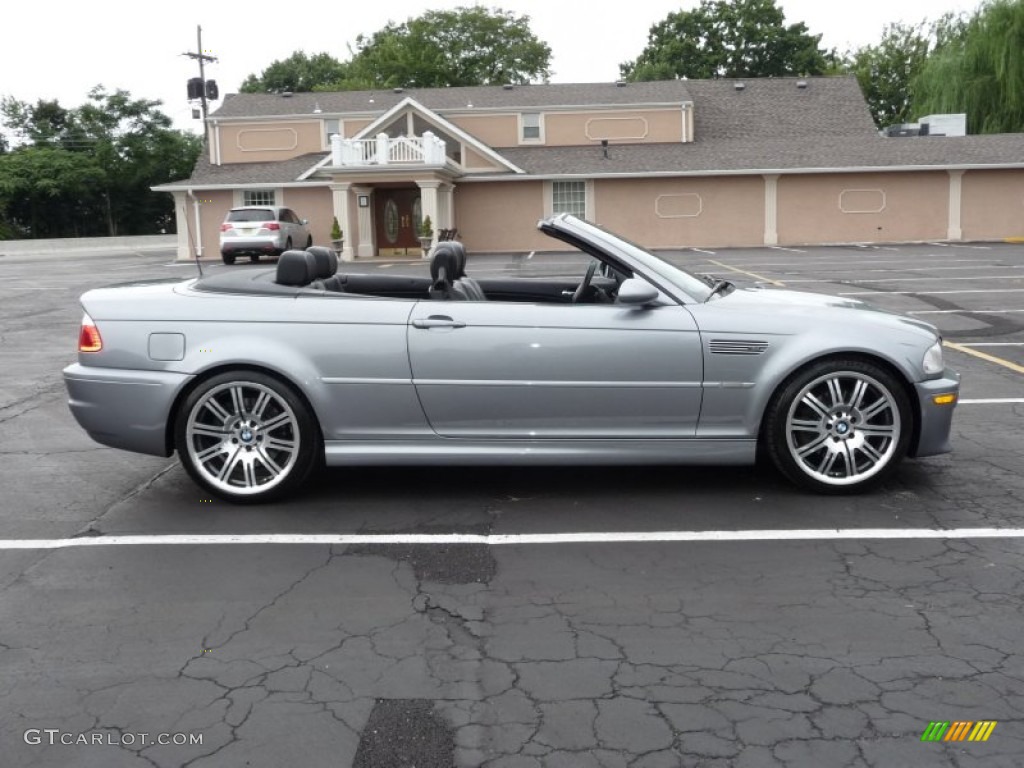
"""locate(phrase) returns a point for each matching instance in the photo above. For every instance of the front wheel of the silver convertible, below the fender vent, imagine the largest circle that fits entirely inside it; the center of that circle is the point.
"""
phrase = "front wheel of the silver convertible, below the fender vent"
(840, 426)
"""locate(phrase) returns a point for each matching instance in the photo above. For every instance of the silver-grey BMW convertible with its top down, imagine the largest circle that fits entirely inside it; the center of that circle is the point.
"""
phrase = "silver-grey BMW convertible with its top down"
(258, 377)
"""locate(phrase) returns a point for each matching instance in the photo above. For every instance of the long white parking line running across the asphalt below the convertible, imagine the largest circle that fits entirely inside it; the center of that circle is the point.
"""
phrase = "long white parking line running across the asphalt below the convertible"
(494, 540)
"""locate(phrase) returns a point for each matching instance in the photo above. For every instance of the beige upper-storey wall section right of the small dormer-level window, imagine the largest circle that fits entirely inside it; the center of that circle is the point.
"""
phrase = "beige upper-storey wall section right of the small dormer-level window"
(639, 126)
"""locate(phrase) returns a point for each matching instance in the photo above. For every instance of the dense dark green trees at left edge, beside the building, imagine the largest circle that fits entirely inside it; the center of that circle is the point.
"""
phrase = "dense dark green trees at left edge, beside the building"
(89, 170)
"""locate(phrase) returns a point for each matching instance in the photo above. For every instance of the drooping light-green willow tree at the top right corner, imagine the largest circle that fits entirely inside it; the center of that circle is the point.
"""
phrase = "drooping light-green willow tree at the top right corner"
(978, 69)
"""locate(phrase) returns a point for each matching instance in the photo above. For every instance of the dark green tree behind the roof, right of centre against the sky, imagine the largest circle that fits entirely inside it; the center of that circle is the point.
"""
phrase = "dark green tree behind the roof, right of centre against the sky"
(723, 39)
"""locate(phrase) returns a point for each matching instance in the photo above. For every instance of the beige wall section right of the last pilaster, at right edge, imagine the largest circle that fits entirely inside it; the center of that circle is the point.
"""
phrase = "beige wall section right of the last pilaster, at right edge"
(993, 205)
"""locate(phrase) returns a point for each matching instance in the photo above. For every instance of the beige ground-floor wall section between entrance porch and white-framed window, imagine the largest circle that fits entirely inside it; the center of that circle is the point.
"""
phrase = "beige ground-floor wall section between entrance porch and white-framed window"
(500, 218)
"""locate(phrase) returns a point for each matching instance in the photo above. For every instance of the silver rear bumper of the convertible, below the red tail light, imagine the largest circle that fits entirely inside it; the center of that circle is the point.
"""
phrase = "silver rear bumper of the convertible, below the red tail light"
(127, 410)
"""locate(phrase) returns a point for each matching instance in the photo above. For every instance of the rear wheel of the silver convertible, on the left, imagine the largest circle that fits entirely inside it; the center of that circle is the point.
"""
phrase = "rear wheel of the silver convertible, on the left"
(246, 437)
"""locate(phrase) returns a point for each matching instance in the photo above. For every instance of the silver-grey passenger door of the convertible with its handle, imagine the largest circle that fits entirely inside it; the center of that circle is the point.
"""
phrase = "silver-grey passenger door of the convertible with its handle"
(509, 370)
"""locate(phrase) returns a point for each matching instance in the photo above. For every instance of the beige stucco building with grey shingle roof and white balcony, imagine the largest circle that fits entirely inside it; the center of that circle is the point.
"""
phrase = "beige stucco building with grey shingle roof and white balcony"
(670, 164)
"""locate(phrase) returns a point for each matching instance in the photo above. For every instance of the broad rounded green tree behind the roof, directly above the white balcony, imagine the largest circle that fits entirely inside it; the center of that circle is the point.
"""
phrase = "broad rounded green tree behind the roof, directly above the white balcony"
(464, 47)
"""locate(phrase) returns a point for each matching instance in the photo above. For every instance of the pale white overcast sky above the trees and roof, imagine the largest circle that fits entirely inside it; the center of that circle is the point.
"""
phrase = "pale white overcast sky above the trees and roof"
(61, 50)
